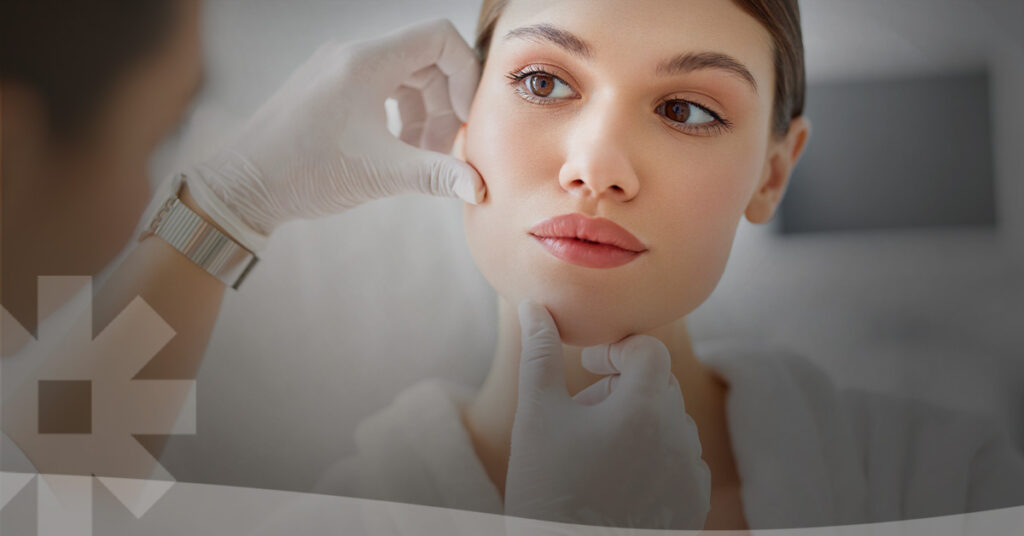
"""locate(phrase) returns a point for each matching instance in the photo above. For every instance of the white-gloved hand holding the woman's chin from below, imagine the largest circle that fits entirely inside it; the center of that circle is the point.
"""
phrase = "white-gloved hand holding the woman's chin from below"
(623, 452)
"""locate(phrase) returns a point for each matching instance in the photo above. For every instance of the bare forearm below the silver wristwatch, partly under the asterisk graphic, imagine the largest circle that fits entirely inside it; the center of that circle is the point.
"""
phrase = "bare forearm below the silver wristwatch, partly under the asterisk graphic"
(188, 299)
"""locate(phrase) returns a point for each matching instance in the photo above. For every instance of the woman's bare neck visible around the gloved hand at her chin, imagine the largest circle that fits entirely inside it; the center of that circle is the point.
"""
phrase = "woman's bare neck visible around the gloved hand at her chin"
(490, 416)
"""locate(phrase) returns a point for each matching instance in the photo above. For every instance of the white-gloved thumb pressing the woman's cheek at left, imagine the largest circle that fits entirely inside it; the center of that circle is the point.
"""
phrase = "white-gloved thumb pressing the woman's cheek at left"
(440, 175)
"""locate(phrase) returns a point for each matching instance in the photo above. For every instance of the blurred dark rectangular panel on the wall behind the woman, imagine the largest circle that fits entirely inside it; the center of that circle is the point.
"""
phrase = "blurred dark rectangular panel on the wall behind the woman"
(894, 154)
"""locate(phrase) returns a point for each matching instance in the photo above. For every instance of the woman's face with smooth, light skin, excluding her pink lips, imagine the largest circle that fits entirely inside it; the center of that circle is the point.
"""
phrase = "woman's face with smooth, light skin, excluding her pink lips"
(582, 110)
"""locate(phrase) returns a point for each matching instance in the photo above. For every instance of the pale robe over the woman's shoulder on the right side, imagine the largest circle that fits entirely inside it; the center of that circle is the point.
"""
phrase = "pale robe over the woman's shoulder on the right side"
(914, 458)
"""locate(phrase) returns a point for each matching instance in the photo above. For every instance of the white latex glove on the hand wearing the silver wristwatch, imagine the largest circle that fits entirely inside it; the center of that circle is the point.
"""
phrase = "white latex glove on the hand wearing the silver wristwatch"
(321, 145)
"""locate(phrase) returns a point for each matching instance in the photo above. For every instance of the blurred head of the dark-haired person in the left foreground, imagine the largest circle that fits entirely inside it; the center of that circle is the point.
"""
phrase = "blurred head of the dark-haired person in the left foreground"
(89, 91)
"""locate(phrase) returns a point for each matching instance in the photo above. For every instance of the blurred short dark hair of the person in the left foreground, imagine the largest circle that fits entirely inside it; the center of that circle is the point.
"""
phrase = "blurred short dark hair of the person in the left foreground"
(72, 52)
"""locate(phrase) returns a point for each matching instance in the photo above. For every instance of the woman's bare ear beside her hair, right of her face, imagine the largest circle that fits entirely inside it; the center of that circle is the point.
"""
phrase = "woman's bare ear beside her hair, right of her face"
(783, 158)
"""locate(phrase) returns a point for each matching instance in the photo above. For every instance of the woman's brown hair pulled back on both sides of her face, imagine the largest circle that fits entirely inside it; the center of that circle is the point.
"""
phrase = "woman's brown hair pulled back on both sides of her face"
(781, 18)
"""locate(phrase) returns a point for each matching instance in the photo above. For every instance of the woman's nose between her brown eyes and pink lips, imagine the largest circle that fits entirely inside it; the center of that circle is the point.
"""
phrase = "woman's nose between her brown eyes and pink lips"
(599, 160)
